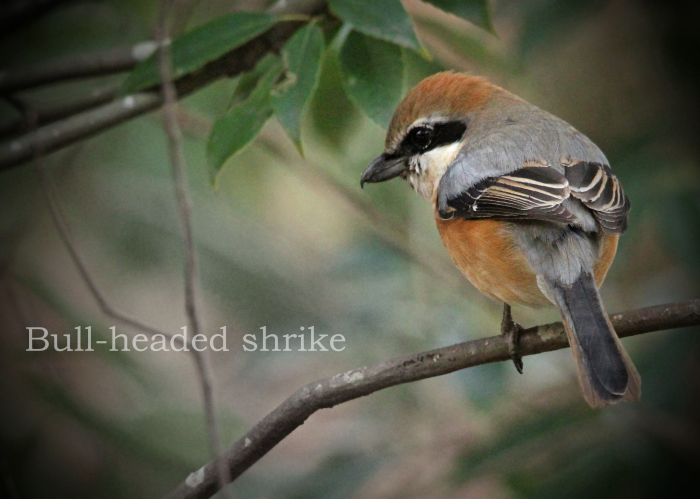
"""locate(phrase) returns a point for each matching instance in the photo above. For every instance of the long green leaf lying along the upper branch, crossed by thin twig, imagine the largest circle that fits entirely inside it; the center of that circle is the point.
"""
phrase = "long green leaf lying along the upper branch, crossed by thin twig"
(203, 44)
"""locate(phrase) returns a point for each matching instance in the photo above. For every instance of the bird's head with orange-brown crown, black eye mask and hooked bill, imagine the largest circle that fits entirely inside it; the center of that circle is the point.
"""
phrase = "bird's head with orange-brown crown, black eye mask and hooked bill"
(428, 130)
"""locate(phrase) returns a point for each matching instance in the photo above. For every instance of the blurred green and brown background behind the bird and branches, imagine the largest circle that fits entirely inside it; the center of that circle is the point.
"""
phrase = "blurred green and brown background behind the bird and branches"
(286, 242)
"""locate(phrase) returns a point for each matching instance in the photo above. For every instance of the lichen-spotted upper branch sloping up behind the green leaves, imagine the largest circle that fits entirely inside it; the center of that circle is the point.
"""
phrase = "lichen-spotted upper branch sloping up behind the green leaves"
(63, 133)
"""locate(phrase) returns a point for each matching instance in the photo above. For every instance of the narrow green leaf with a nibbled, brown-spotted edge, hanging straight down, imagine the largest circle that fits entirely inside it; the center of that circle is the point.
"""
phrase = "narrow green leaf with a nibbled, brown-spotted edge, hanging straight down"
(302, 57)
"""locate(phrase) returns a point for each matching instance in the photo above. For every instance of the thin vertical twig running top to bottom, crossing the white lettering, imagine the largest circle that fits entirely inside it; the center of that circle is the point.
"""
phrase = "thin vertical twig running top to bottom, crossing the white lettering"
(191, 274)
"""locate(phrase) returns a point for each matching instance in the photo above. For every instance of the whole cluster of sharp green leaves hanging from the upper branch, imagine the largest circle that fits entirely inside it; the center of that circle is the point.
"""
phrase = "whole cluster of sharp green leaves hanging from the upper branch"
(376, 46)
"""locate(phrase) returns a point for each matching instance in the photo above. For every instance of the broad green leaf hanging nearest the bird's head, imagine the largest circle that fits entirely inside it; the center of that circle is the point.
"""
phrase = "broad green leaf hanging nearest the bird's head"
(373, 75)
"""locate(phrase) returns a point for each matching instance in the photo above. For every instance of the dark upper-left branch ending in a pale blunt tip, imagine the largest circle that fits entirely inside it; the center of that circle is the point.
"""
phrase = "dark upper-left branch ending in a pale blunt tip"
(82, 66)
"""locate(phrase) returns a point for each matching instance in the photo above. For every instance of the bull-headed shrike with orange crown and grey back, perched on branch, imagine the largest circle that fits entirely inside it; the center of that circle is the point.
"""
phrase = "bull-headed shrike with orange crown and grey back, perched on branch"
(527, 207)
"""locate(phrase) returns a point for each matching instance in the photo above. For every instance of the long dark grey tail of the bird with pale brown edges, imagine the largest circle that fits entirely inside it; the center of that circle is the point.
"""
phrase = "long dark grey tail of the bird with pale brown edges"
(604, 369)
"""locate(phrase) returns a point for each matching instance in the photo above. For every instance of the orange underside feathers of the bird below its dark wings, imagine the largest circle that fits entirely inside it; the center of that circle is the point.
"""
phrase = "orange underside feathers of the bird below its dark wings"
(488, 255)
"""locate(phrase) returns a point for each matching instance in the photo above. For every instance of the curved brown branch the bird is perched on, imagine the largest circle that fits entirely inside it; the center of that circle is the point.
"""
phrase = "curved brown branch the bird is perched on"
(357, 383)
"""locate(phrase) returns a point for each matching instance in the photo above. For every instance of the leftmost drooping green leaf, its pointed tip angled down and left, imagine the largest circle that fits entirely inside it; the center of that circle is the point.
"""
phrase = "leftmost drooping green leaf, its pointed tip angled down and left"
(237, 128)
